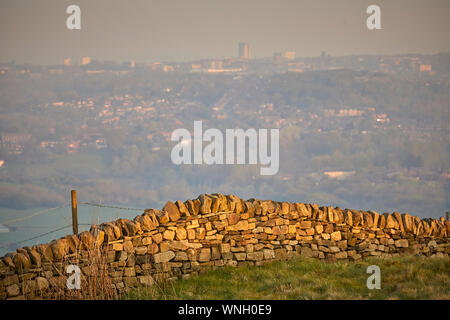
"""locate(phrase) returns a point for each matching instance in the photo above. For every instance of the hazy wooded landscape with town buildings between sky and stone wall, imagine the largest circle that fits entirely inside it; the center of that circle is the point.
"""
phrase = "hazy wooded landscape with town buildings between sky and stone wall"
(360, 130)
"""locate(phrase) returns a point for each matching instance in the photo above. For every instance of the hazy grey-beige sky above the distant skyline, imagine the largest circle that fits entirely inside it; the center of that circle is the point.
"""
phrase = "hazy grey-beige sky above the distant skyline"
(167, 30)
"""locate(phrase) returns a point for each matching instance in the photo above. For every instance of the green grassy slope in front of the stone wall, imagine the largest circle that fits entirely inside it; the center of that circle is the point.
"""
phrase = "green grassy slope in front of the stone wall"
(405, 277)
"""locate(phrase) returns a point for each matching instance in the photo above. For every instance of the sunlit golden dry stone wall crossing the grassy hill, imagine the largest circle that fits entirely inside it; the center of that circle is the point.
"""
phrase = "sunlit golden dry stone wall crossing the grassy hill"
(187, 238)
